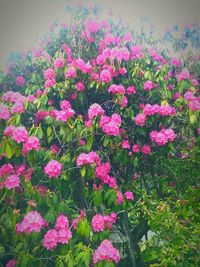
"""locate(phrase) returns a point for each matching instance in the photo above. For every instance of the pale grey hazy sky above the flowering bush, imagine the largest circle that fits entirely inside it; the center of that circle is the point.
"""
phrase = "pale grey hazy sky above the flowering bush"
(24, 22)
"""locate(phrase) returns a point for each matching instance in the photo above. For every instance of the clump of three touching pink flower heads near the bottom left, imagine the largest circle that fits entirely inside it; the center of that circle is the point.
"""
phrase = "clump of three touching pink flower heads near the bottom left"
(61, 233)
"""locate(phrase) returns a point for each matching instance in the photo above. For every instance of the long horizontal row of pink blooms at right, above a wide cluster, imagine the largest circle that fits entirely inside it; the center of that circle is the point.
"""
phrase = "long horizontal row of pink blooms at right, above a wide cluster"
(164, 110)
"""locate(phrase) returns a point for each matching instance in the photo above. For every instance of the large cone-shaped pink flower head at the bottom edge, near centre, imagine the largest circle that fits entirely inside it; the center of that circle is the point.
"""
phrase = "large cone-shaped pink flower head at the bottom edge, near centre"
(106, 252)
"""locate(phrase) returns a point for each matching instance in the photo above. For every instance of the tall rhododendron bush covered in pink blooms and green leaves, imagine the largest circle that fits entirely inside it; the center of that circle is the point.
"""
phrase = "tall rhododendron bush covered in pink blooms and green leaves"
(99, 147)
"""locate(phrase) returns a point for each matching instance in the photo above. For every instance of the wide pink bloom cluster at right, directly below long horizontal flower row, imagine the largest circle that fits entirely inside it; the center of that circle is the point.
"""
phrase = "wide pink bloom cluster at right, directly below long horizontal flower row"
(161, 138)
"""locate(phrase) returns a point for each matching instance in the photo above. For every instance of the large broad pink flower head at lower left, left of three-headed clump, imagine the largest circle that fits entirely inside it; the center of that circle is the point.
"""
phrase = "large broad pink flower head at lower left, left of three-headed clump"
(32, 222)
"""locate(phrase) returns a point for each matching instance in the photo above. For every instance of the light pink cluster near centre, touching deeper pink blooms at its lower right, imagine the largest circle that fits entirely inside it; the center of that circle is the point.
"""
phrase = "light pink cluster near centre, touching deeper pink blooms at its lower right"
(88, 159)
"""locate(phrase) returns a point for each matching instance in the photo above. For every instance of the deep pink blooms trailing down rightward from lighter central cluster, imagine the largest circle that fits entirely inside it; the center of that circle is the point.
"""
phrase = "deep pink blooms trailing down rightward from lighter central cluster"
(102, 172)
